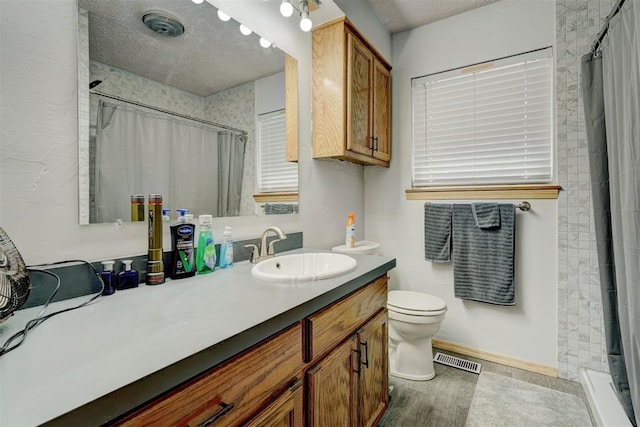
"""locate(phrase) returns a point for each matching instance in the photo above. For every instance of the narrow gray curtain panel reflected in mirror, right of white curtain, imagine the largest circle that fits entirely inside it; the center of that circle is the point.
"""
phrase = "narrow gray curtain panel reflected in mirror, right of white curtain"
(230, 165)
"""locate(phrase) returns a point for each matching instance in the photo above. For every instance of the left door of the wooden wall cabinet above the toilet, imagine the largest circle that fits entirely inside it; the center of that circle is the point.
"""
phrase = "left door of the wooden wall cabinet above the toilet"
(359, 102)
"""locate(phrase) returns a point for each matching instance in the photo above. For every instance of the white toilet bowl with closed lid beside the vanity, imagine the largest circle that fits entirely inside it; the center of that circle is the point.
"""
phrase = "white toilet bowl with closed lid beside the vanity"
(414, 318)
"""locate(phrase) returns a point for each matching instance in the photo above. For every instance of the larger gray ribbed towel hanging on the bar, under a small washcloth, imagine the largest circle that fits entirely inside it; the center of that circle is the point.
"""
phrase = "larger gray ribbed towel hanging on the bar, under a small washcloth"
(483, 257)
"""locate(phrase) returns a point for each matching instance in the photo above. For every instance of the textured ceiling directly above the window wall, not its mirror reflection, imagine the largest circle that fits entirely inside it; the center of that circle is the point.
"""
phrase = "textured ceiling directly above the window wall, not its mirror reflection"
(402, 15)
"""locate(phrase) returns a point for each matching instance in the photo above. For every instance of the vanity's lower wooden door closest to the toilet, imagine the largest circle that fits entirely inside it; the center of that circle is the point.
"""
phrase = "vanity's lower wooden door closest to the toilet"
(374, 391)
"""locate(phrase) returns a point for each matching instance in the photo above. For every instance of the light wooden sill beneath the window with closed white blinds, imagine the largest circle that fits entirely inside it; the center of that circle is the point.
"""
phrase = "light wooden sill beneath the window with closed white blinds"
(484, 192)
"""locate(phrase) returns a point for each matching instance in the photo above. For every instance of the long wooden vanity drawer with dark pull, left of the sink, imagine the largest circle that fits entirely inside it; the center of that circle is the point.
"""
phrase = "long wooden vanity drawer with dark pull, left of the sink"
(231, 392)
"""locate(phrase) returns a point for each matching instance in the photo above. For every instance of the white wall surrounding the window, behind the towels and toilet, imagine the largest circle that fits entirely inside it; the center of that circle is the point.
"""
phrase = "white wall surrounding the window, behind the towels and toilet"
(528, 330)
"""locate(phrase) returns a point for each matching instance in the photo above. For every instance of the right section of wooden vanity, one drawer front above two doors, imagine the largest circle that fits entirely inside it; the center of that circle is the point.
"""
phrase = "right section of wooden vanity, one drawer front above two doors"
(349, 386)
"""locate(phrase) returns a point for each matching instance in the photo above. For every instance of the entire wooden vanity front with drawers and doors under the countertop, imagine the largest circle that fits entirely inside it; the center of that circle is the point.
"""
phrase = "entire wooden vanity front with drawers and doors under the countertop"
(329, 369)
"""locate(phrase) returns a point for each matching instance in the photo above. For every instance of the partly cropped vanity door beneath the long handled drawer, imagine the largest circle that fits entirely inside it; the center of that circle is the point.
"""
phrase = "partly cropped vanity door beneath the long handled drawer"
(285, 411)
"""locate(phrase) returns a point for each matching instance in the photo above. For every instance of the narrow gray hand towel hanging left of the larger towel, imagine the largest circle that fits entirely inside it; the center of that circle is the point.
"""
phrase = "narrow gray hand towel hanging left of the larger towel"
(437, 232)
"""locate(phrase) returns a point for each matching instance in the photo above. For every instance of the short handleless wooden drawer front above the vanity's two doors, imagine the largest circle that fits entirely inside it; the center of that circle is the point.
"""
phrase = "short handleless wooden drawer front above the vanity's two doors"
(328, 327)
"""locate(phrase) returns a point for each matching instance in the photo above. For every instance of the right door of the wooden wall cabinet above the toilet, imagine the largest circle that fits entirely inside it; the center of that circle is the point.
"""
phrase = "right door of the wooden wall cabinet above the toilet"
(381, 112)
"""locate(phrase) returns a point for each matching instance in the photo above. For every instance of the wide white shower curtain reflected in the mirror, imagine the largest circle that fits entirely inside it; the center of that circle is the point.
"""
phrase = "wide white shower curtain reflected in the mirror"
(140, 152)
